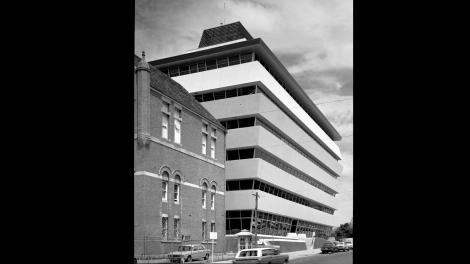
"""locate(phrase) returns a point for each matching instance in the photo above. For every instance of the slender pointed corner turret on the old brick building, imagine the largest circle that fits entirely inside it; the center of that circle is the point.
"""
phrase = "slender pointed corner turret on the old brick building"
(142, 72)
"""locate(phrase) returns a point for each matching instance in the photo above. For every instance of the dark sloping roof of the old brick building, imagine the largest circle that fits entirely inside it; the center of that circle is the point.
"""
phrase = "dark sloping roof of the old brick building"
(167, 86)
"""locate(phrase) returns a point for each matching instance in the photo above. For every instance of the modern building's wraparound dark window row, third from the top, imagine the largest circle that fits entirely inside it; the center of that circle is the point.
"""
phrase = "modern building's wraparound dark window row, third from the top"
(252, 121)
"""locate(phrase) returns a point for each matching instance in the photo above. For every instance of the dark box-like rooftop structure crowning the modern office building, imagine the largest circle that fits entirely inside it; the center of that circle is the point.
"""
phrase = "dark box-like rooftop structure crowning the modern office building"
(224, 33)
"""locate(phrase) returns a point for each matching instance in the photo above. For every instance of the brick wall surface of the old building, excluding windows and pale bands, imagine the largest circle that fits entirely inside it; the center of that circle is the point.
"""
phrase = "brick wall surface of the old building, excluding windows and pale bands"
(148, 205)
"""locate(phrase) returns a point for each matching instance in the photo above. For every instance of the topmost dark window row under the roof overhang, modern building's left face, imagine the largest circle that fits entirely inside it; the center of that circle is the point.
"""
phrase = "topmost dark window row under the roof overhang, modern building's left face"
(209, 64)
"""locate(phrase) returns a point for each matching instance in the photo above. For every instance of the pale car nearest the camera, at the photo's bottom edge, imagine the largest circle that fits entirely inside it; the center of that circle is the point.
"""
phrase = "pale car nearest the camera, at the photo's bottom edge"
(260, 255)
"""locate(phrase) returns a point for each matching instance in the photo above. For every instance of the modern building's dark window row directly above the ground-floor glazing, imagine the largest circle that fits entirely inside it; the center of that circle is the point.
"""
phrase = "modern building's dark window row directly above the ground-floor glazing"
(251, 184)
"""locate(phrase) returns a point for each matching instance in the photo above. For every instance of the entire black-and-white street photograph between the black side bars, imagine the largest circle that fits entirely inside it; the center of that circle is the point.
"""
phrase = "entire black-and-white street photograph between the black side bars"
(243, 122)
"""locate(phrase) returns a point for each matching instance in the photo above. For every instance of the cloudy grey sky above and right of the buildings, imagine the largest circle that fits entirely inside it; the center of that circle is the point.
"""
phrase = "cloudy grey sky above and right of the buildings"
(313, 39)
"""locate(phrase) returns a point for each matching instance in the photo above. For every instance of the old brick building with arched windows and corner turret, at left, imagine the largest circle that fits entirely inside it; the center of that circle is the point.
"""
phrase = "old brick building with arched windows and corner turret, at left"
(179, 157)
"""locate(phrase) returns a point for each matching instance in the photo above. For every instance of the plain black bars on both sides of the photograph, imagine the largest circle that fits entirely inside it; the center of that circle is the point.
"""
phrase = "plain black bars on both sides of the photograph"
(67, 132)
